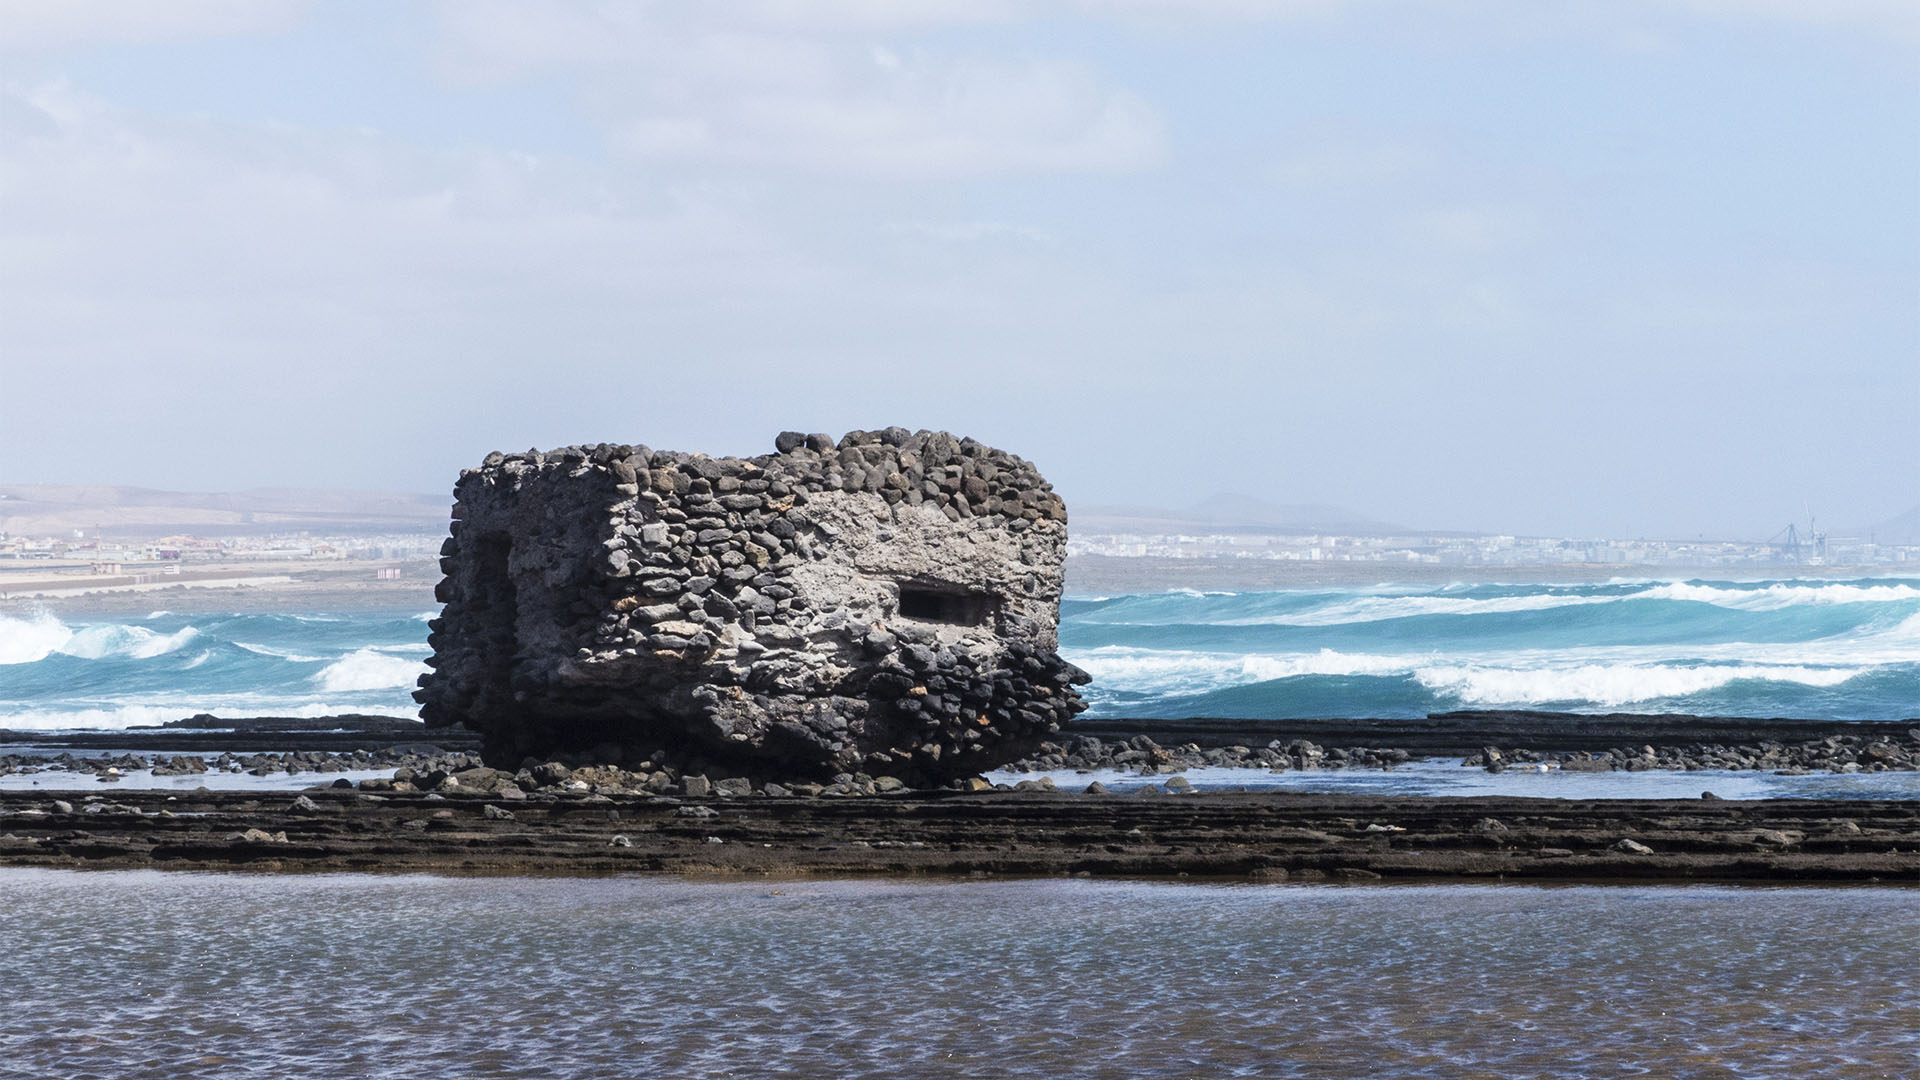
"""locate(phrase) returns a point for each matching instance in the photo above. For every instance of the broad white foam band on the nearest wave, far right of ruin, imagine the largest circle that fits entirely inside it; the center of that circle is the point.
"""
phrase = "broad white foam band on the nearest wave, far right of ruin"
(1608, 685)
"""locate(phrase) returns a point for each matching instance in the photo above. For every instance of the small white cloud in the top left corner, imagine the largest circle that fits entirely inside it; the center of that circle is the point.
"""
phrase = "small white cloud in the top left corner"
(64, 24)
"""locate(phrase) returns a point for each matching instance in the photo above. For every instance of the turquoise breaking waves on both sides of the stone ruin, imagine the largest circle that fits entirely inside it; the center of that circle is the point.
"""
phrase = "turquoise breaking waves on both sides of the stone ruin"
(1846, 650)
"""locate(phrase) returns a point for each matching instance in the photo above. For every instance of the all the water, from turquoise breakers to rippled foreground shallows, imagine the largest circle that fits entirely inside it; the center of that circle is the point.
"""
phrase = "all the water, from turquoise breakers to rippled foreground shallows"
(149, 973)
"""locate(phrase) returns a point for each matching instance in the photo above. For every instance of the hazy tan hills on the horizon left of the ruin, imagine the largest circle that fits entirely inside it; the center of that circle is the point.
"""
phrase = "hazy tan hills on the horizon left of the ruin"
(57, 510)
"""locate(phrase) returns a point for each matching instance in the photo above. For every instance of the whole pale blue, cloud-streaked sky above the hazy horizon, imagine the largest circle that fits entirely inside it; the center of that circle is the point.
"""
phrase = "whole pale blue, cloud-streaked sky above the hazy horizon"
(1610, 268)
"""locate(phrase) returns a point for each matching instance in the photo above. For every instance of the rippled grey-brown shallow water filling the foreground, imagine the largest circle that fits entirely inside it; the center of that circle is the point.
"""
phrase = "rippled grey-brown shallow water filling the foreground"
(180, 975)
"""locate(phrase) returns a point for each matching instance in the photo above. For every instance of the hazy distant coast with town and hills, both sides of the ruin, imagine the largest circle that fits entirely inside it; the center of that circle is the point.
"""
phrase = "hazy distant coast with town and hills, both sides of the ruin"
(95, 541)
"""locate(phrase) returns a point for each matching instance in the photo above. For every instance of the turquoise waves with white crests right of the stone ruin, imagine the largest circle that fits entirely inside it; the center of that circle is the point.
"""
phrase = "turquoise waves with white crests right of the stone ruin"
(1846, 650)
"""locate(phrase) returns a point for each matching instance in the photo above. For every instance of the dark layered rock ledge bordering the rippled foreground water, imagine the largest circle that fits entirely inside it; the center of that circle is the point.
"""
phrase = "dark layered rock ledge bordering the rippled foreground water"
(1234, 837)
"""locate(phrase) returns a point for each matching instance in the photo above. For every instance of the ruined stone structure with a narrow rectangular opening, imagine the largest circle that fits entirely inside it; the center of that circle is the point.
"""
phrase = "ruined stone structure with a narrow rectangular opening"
(886, 604)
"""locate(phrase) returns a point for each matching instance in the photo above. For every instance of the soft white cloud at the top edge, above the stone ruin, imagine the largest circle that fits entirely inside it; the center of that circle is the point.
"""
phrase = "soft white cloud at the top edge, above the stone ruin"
(754, 87)
